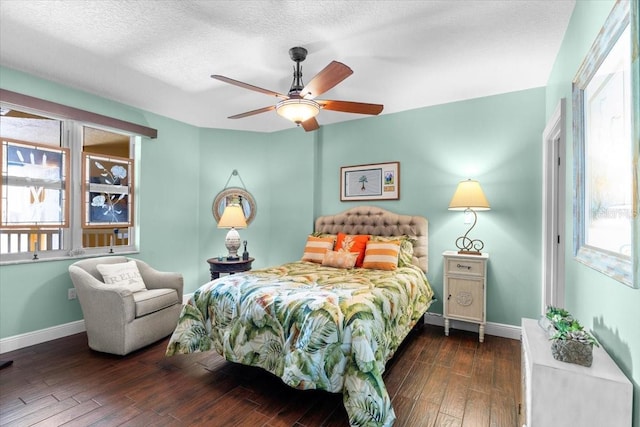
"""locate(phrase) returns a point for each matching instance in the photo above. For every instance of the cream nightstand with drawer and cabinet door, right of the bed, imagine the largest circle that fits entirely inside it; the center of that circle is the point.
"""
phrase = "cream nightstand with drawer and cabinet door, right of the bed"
(465, 294)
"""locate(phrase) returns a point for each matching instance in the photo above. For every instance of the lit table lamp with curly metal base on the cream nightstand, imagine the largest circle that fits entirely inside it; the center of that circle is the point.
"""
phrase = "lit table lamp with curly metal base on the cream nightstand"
(469, 197)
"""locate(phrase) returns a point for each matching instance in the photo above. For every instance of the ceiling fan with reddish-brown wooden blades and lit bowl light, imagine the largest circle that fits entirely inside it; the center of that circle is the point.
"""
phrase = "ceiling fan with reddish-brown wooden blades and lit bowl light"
(300, 104)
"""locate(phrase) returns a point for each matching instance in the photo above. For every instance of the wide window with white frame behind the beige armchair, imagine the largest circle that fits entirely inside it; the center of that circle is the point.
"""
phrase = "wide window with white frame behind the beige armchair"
(67, 187)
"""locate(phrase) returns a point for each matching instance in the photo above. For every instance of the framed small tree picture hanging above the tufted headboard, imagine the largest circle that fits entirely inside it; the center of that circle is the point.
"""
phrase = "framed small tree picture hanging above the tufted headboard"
(378, 181)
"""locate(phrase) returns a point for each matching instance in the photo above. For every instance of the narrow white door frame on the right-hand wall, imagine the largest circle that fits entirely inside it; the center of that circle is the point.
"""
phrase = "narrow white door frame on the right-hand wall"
(554, 237)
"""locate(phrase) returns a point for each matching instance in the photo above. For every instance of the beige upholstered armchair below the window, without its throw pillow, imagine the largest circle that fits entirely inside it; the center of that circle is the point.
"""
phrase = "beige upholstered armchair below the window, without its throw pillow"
(119, 321)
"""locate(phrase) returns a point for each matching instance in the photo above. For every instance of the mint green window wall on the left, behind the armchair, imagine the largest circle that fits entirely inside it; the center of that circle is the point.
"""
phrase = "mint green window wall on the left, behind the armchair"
(34, 296)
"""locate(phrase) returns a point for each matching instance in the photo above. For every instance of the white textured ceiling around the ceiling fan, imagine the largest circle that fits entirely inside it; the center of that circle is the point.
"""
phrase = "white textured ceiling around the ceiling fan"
(158, 55)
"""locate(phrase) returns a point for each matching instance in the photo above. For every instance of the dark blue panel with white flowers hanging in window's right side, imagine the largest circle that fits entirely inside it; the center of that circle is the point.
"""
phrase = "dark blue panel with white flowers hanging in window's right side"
(107, 191)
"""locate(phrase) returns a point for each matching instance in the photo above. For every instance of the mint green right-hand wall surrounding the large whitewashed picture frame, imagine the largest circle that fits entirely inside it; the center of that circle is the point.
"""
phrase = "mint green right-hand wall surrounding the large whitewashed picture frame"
(609, 308)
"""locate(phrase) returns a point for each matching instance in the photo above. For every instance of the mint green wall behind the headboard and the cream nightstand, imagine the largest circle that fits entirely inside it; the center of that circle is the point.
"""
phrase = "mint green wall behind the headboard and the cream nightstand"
(496, 140)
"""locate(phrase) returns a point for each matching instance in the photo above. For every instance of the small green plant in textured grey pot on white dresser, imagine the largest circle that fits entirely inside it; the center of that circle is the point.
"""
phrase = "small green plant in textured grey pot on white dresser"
(570, 342)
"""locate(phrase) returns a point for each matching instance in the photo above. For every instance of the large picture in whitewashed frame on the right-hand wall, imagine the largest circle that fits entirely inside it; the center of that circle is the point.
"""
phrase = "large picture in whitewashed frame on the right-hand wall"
(606, 126)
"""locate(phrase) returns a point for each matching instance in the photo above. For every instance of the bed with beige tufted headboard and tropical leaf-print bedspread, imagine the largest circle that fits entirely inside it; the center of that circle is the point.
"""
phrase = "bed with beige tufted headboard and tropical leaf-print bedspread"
(316, 326)
